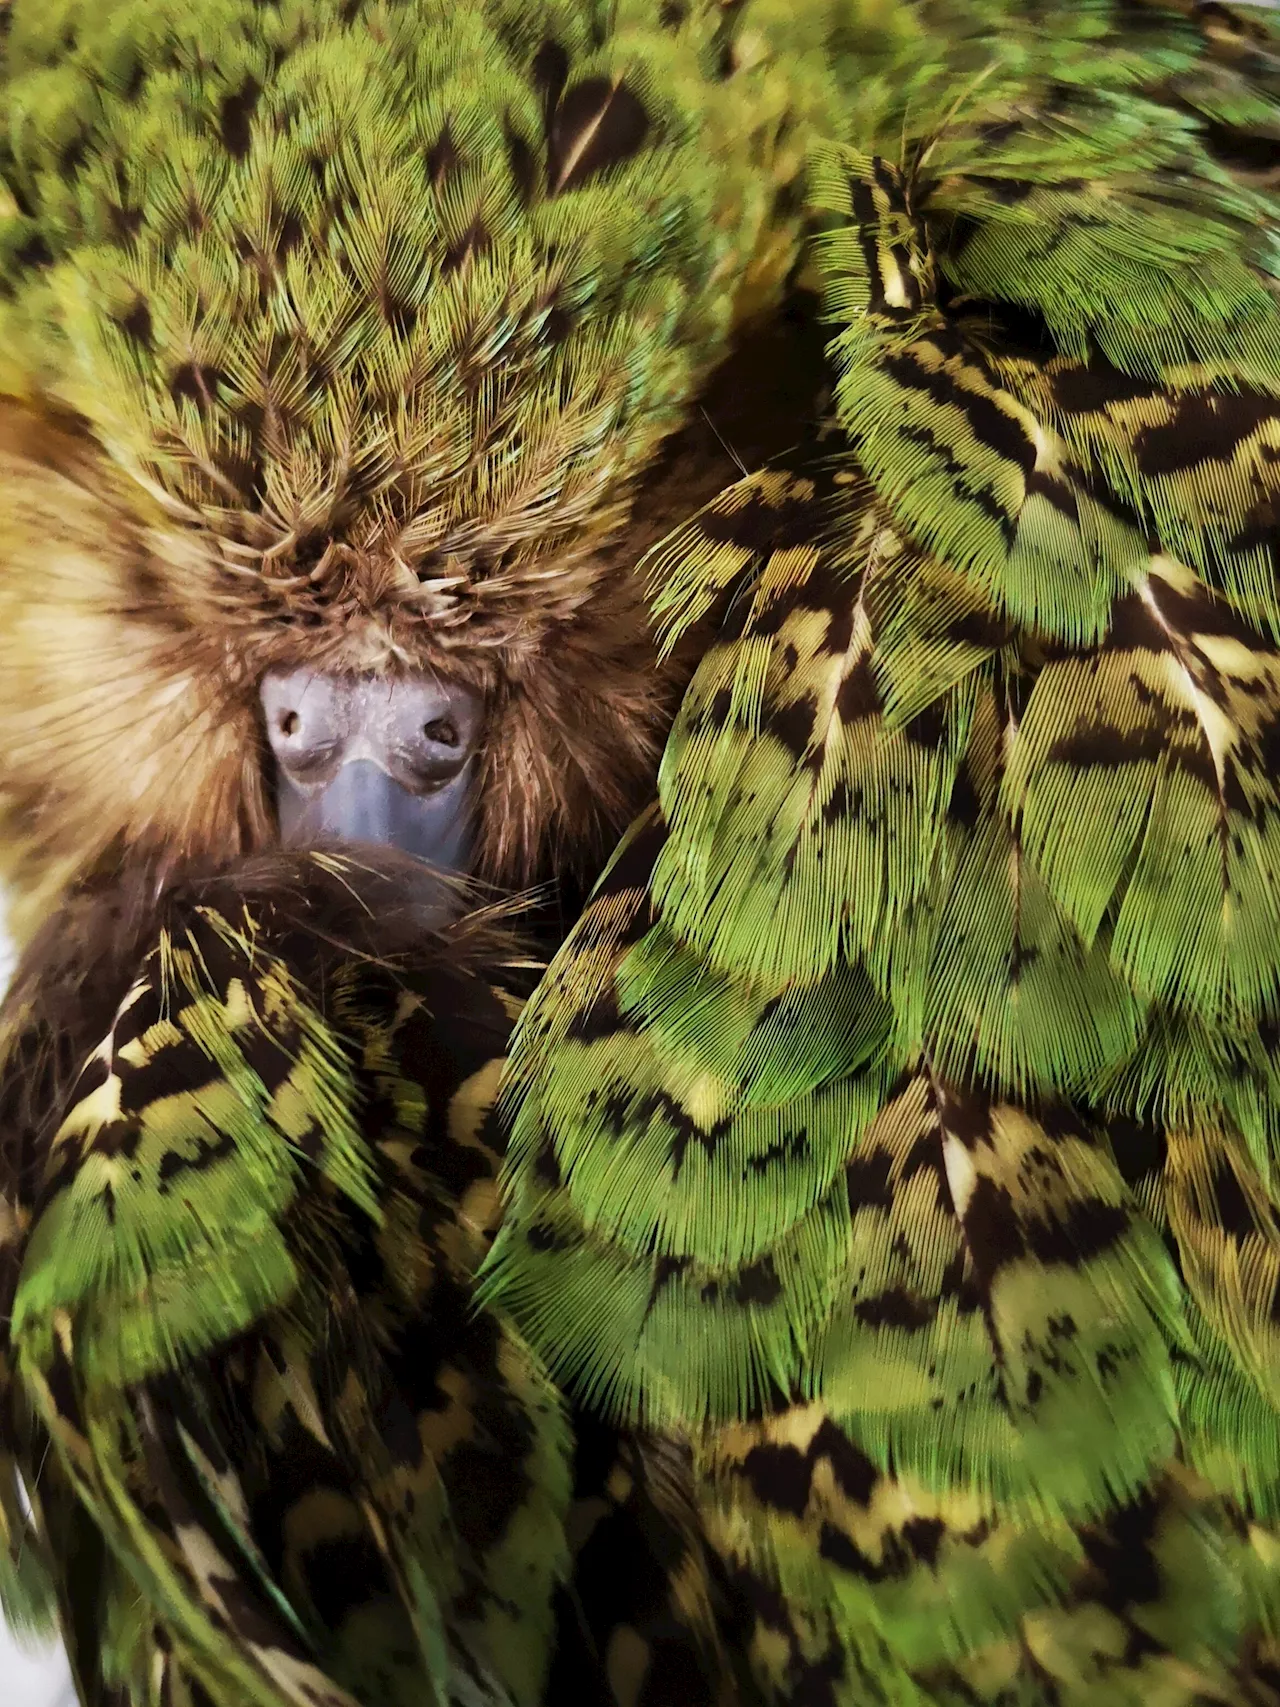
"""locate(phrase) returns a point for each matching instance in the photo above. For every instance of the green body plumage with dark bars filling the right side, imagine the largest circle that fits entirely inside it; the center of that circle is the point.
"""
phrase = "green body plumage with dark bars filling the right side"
(899, 1124)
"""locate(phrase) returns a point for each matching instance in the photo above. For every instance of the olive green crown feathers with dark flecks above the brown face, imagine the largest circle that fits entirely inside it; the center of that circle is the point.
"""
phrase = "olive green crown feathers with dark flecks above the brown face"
(434, 277)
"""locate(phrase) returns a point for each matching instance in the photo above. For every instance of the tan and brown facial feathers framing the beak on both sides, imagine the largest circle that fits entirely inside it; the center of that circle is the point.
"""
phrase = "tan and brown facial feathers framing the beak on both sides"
(129, 723)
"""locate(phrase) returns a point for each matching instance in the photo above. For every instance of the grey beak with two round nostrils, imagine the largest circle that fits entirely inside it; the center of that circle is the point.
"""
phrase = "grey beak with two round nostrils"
(376, 760)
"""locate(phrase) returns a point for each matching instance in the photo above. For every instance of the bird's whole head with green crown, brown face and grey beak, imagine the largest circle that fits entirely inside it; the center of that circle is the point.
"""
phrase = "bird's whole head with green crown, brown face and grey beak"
(340, 341)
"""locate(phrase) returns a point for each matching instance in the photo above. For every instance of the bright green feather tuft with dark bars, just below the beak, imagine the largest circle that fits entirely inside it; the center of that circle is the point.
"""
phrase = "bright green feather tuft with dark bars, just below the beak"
(165, 1189)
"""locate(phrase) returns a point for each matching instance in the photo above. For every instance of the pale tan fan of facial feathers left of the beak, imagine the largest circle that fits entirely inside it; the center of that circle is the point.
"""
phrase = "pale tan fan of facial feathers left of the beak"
(113, 731)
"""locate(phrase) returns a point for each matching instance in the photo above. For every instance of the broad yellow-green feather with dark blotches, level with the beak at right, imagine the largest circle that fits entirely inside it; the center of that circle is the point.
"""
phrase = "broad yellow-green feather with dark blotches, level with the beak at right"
(784, 728)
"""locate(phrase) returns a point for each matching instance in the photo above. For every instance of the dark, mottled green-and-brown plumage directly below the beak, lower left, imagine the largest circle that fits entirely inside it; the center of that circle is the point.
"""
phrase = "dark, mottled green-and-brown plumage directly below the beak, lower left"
(241, 1324)
